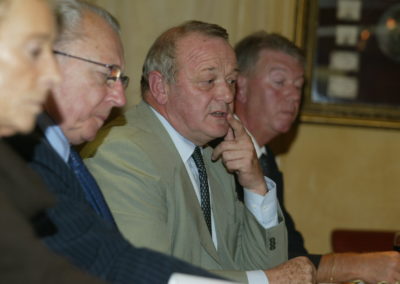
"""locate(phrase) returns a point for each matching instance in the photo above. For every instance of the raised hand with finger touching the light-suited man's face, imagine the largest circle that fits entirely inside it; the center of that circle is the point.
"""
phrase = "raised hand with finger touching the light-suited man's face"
(238, 155)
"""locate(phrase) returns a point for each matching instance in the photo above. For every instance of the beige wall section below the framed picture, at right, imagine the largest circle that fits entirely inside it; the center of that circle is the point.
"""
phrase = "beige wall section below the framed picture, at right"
(342, 177)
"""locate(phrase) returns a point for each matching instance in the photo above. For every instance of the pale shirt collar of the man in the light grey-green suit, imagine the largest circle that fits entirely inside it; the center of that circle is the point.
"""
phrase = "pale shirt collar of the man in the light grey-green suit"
(184, 146)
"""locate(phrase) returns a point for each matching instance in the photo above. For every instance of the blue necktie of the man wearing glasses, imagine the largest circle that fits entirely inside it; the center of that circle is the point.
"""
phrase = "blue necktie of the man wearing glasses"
(92, 191)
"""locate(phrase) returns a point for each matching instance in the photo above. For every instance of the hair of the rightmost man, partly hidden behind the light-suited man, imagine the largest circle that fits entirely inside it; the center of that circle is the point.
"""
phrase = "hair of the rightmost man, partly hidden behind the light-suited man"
(248, 49)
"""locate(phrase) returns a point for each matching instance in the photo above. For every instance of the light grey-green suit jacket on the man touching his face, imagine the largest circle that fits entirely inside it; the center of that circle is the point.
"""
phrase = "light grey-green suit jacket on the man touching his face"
(152, 199)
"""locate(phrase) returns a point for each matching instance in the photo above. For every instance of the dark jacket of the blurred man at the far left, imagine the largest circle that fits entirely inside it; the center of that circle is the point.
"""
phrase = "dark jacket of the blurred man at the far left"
(24, 258)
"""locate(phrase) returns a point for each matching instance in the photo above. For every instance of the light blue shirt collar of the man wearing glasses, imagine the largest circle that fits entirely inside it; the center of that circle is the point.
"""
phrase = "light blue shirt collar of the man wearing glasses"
(54, 136)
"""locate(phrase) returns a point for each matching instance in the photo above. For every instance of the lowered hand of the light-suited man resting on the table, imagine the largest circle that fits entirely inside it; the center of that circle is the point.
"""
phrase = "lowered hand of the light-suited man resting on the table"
(296, 270)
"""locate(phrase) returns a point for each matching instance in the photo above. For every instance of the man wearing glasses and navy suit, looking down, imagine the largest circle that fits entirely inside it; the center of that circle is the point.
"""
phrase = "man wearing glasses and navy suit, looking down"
(90, 55)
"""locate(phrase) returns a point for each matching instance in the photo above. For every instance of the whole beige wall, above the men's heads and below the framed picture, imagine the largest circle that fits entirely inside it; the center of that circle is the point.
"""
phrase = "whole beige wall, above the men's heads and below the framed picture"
(335, 176)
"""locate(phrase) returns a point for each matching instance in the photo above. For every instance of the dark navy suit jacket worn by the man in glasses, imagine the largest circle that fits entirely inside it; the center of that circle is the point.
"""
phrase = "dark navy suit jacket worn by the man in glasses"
(85, 239)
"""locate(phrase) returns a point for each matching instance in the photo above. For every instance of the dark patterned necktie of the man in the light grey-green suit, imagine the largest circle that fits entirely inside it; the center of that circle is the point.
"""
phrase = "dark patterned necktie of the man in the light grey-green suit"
(204, 191)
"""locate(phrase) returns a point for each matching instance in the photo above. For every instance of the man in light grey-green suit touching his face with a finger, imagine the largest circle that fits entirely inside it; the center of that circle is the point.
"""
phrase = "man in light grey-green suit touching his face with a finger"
(168, 191)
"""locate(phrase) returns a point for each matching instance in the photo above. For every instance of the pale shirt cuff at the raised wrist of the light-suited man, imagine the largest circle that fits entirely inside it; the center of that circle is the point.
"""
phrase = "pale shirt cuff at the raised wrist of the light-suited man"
(264, 208)
